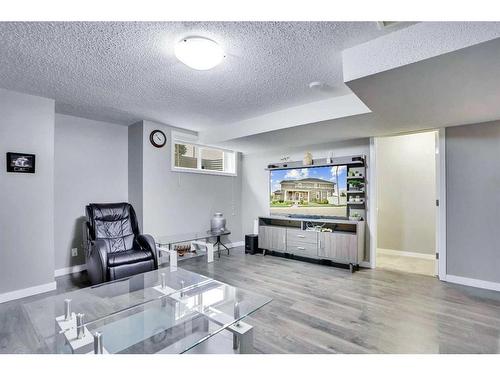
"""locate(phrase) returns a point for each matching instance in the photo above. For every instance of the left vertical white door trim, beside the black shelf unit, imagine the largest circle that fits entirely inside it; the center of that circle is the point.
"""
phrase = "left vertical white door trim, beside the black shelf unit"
(372, 201)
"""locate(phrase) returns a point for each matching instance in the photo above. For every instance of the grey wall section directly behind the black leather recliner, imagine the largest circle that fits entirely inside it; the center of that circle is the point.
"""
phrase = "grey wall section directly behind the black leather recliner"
(91, 159)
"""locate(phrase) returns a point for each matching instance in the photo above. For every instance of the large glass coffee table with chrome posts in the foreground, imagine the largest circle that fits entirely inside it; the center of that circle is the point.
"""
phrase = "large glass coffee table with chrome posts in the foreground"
(169, 310)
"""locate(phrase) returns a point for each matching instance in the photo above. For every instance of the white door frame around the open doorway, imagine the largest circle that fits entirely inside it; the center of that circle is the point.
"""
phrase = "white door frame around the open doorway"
(372, 200)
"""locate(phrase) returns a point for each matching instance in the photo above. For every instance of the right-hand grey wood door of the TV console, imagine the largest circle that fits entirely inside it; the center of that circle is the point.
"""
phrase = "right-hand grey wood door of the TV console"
(339, 247)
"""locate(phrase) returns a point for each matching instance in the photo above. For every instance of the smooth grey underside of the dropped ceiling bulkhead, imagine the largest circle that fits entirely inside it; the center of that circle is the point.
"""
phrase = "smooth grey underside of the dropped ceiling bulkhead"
(456, 88)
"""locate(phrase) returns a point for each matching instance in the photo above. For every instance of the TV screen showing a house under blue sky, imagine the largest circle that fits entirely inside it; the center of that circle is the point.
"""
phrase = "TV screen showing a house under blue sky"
(309, 191)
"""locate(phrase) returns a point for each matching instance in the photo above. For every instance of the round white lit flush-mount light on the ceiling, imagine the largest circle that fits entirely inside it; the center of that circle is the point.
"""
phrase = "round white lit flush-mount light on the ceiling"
(199, 53)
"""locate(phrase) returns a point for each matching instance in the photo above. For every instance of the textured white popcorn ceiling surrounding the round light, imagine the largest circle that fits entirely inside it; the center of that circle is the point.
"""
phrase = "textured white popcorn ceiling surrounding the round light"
(125, 72)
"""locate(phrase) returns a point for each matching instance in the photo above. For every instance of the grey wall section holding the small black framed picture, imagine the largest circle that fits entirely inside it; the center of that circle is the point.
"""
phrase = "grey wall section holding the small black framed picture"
(26, 200)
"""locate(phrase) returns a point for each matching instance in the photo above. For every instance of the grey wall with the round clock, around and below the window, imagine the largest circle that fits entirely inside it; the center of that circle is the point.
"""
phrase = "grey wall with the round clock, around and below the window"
(177, 202)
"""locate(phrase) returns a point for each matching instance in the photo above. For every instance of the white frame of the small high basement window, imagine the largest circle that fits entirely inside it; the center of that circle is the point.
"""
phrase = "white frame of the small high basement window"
(198, 148)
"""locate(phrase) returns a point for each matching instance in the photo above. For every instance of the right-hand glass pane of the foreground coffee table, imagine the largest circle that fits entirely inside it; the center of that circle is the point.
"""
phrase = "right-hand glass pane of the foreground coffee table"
(176, 322)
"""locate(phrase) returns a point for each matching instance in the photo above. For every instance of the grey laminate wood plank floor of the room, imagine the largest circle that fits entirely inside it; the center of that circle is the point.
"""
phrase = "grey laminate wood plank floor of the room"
(321, 309)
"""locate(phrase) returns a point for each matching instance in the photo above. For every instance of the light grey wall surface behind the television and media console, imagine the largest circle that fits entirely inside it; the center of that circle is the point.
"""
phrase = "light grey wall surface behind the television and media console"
(255, 184)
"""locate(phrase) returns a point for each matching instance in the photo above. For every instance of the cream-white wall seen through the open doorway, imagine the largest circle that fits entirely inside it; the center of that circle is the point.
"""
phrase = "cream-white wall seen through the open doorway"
(406, 176)
